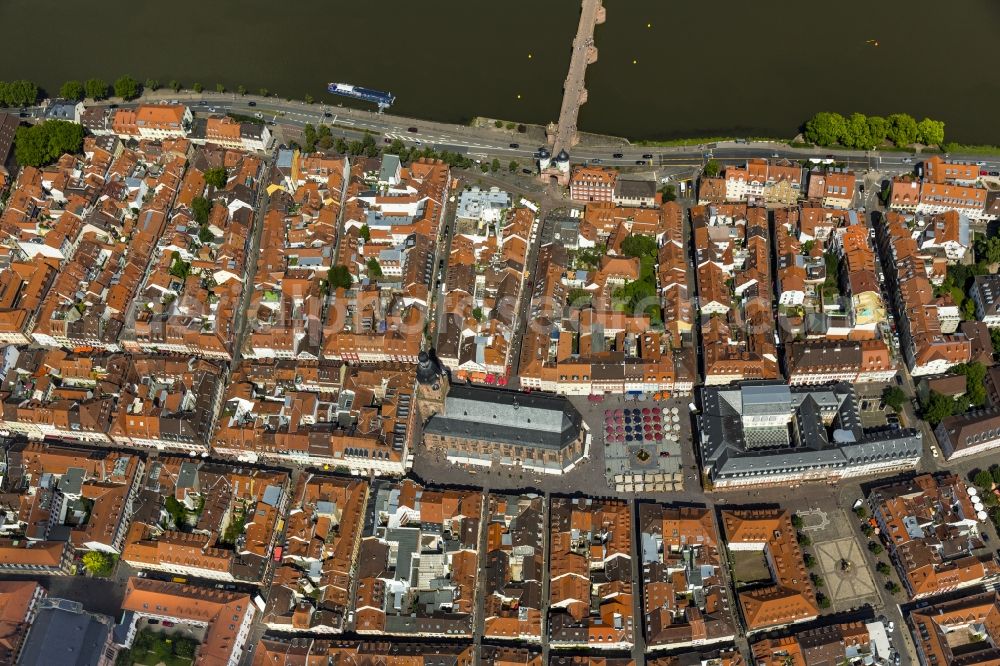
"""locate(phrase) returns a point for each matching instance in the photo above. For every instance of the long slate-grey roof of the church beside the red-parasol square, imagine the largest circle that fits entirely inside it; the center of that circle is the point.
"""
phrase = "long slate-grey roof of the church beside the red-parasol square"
(510, 417)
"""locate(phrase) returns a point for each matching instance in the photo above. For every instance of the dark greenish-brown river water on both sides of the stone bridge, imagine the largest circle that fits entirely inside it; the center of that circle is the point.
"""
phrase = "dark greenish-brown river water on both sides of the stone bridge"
(666, 69)
